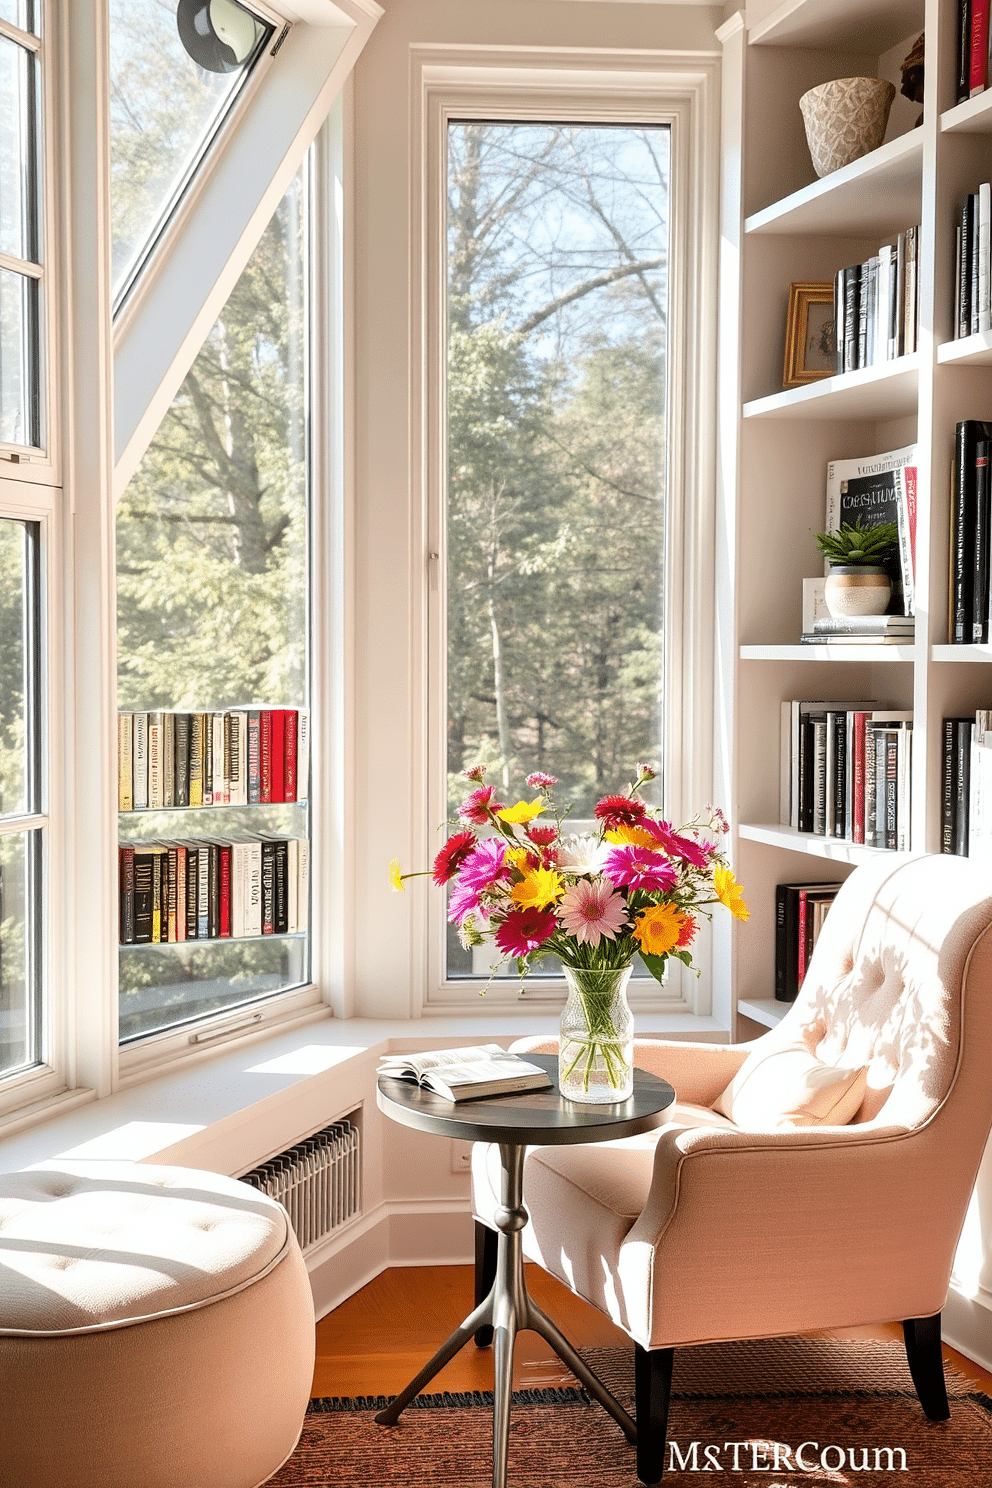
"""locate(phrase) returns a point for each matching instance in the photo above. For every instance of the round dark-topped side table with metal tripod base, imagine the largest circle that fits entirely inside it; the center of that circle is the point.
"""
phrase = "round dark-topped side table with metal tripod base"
(517, 1123)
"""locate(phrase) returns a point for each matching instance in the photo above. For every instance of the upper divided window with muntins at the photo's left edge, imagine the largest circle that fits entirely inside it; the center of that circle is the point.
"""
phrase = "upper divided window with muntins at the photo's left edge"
(22, 349)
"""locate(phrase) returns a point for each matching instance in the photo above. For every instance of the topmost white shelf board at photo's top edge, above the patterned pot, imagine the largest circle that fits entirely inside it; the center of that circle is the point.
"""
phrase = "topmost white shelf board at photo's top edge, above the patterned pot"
(840, 25)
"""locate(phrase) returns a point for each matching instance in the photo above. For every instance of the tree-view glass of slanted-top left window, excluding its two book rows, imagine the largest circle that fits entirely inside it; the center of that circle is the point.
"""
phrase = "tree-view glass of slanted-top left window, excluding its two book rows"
(213, 597)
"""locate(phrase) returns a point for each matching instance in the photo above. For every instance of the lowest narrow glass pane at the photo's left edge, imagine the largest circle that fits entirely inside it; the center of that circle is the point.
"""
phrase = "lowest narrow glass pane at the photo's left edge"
(20, 917)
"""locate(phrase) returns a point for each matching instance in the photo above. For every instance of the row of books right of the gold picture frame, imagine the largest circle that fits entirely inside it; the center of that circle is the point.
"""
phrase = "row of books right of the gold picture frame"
(877, 306)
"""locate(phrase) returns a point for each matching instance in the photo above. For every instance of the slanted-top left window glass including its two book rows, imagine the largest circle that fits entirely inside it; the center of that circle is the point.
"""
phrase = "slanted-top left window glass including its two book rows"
(213, 620)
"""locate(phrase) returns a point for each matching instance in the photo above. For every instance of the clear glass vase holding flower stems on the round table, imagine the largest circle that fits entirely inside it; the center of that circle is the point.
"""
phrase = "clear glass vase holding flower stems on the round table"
(596, 1051)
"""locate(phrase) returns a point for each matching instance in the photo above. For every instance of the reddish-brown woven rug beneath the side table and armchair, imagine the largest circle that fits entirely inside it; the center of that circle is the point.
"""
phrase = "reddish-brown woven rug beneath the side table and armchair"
(768, 1414)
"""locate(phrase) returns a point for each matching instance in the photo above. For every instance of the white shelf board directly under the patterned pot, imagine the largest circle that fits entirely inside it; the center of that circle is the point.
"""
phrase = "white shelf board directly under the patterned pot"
(878, 194)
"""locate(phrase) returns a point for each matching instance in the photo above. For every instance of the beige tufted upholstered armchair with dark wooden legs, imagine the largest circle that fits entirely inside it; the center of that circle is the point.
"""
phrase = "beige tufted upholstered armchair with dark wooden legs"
(707, 1231)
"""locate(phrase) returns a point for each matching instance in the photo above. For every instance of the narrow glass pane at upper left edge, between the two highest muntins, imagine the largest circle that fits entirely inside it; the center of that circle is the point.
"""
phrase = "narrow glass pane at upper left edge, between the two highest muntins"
(19, 153)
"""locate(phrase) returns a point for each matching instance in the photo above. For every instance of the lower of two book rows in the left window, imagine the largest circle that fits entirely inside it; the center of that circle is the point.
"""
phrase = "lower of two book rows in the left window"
(175, 892)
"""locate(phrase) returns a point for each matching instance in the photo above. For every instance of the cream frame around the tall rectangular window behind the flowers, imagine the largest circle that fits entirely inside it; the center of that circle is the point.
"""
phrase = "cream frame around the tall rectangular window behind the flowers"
(612, 89)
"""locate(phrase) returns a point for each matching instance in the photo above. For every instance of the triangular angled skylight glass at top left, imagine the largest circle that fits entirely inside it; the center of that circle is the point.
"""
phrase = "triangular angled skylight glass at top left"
(176, 69)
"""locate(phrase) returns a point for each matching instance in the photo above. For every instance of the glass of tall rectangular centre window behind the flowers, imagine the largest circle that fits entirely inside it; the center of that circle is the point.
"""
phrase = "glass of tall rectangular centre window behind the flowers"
(555, 505)
